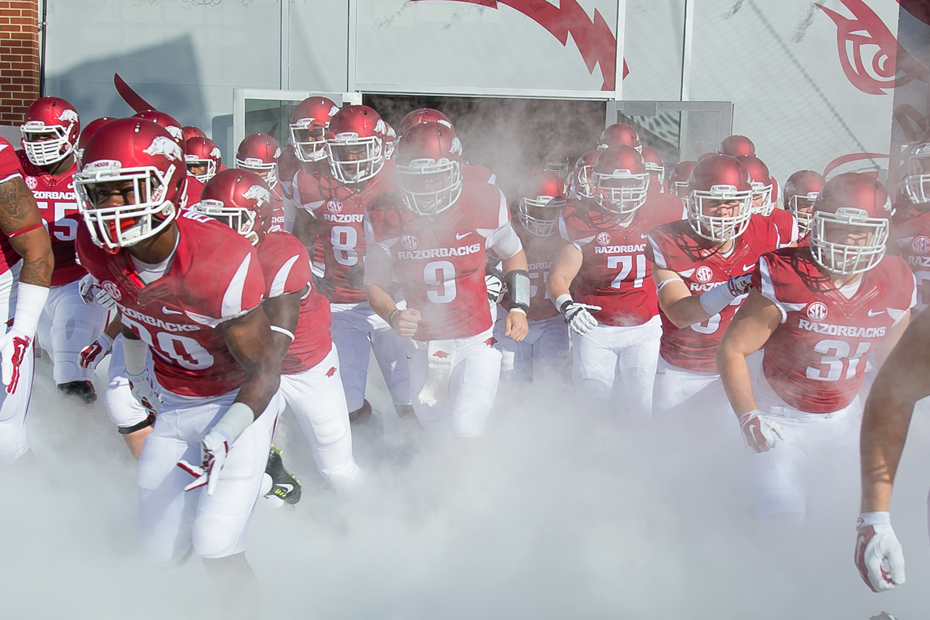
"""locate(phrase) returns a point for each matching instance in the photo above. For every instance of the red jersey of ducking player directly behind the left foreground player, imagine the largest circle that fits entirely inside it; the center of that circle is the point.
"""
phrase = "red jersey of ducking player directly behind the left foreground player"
(286, 269)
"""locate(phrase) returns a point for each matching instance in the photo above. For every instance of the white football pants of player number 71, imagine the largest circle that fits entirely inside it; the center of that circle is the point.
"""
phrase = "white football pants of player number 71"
(609, 351)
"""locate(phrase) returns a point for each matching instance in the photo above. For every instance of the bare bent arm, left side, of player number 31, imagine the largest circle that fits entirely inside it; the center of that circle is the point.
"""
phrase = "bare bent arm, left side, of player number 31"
(755, 321)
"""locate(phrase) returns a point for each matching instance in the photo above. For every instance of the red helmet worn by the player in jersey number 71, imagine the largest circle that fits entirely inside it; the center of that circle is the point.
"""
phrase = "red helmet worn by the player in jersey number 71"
(620, 179)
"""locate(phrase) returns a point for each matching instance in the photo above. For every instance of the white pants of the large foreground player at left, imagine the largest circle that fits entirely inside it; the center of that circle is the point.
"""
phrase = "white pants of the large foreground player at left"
(172, 520)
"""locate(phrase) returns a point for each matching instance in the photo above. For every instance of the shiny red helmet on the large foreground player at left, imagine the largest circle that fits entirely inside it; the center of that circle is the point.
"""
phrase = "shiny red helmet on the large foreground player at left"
(141, 152)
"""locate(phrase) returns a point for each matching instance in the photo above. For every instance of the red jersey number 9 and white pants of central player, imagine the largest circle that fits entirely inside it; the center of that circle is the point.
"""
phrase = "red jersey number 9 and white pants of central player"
(440, 263)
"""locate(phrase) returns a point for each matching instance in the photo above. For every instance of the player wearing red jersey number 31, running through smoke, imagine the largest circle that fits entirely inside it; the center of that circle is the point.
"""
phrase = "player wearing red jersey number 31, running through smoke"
(816, 312)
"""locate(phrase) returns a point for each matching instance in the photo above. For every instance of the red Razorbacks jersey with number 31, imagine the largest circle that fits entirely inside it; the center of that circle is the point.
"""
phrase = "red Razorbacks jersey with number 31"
(815, 360)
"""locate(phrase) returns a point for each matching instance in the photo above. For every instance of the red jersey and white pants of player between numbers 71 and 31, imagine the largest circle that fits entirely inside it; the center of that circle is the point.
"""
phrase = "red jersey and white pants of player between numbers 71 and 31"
(687, 363)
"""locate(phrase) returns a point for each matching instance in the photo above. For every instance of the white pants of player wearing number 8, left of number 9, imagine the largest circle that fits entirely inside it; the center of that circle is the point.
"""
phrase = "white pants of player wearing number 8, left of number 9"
(357, 329)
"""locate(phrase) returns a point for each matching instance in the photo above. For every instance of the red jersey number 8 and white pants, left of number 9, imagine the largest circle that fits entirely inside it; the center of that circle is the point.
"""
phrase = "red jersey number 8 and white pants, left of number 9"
(356, 328)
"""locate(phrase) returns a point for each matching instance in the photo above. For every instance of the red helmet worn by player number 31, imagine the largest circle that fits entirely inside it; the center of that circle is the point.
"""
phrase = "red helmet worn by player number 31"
(850, 224)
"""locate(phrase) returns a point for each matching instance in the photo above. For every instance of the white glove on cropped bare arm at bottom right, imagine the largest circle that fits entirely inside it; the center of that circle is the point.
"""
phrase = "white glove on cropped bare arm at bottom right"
(879, 556)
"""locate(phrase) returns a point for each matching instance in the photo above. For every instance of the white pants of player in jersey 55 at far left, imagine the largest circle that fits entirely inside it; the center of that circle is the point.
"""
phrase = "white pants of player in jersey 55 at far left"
(66, 326)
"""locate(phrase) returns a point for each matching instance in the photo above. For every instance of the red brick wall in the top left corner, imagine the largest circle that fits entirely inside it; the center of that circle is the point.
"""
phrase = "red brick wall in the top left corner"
(19, 58)
